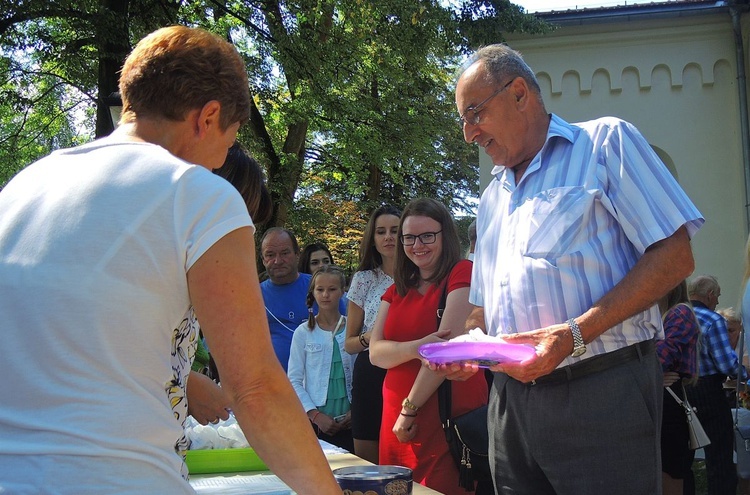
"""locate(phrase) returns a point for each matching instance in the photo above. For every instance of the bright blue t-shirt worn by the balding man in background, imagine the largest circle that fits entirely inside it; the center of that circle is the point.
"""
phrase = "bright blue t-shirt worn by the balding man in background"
(285, 309)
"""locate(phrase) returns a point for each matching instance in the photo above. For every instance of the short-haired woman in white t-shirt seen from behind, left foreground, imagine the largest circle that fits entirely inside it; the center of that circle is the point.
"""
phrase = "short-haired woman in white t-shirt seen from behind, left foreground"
(103, 248)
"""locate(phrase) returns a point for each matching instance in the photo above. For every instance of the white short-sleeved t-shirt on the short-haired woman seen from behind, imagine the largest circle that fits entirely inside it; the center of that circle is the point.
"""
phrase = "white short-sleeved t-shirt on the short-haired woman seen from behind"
(95, 244)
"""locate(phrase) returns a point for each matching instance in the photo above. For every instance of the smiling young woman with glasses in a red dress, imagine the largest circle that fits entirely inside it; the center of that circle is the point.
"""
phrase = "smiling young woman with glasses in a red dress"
(428, 263)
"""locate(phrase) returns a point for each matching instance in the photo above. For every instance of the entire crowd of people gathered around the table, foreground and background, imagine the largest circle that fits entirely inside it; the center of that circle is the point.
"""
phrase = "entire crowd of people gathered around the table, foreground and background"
(130, 291)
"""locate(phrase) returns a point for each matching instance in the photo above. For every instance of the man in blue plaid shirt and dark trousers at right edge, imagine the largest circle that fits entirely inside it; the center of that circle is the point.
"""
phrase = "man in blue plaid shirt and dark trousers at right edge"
(717, 361)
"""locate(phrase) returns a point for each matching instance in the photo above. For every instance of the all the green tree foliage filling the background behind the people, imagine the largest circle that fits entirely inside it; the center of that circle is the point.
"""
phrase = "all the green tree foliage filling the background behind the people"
(353, 98)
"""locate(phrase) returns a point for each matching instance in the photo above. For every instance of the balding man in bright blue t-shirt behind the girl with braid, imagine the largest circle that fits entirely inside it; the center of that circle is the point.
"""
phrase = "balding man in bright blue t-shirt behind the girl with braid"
(285, 290)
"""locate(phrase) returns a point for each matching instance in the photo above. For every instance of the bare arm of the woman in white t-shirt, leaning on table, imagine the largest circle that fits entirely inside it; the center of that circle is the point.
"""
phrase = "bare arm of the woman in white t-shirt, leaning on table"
(225, 292)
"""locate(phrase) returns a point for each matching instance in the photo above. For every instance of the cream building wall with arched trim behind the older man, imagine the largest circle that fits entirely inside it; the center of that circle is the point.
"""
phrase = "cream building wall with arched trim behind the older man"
(674, 79)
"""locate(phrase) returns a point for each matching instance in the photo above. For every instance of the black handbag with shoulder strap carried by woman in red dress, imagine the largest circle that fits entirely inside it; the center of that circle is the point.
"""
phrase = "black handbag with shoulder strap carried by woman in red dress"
(467, 435)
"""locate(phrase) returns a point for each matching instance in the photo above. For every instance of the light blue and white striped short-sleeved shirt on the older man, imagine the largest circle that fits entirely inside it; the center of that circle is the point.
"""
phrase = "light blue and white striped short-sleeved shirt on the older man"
(587, 207)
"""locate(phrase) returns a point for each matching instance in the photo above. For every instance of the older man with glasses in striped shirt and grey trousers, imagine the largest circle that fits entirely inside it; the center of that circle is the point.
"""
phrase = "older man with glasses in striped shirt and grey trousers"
(580, 232)
